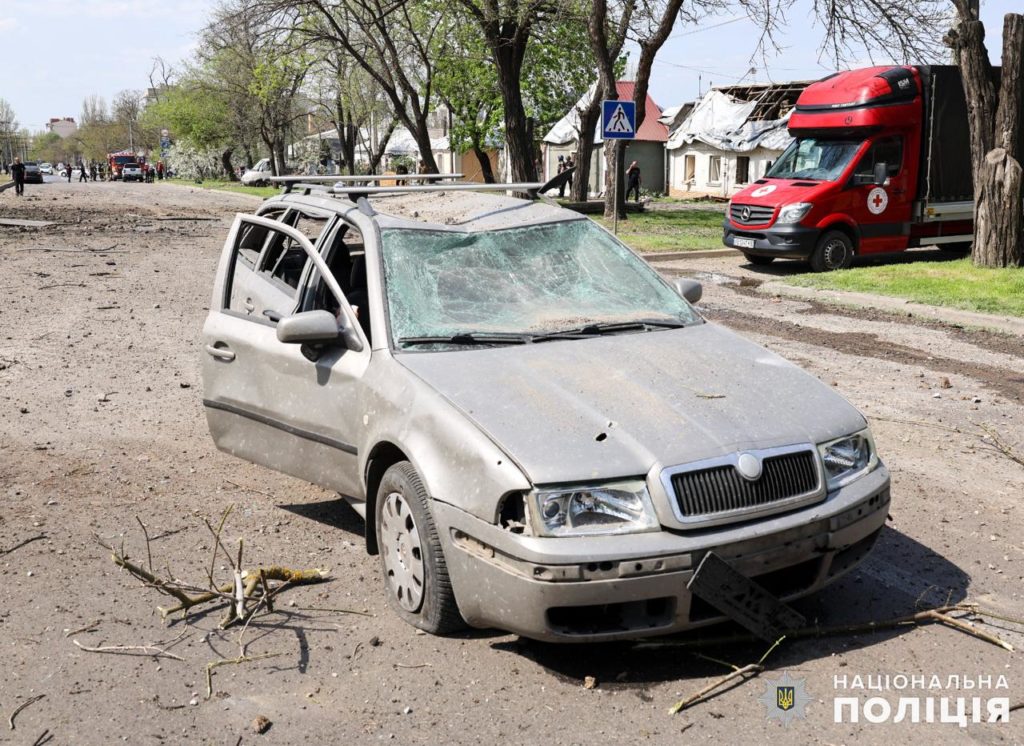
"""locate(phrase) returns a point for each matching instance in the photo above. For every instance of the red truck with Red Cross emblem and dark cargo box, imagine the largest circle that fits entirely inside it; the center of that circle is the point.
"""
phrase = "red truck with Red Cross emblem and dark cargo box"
(880, 163)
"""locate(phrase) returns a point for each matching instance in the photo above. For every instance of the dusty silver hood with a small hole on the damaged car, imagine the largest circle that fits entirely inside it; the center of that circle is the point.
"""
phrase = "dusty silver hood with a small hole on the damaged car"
(662, 398)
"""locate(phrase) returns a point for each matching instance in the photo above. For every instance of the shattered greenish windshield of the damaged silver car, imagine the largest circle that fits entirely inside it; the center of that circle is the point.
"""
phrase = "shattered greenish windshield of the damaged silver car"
(529, 282)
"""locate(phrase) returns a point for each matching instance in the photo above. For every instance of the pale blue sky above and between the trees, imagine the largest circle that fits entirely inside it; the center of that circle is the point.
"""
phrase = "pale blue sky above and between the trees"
(69, 50)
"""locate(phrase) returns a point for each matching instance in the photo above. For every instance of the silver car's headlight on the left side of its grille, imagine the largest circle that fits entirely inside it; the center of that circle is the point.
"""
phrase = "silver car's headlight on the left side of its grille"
(575, 511)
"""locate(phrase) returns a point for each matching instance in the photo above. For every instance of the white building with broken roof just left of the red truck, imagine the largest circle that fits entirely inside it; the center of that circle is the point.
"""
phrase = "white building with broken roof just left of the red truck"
(731, 139)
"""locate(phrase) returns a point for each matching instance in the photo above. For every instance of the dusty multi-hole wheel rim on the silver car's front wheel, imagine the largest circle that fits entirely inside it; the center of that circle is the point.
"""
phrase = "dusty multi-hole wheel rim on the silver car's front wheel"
(403, 552)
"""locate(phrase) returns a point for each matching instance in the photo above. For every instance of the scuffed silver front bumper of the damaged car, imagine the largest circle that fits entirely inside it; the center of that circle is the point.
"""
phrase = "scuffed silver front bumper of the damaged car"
(613, 588)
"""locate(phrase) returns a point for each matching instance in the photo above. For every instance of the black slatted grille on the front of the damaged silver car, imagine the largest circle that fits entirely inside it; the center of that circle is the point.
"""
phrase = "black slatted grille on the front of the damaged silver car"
(721, 490)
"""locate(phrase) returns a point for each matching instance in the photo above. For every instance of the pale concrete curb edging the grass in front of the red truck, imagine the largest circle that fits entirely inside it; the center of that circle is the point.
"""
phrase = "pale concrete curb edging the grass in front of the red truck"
(950, 317)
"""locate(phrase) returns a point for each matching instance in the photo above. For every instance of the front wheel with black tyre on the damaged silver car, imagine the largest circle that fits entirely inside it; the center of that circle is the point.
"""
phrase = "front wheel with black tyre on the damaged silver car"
(416, 579)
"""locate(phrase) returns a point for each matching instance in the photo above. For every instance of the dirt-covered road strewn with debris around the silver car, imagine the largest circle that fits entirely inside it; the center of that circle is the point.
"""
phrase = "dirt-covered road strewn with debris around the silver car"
(102, 422)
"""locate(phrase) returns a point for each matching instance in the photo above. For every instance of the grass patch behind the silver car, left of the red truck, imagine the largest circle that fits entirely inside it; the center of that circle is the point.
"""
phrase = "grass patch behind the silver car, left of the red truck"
(671, 231)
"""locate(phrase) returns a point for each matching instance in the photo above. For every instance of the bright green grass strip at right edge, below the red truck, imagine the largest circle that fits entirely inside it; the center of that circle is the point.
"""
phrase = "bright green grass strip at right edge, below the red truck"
(955, 284)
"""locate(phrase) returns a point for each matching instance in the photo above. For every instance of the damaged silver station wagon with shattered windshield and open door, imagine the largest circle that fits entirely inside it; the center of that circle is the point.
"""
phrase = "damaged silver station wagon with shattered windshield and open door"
(541, 433)
